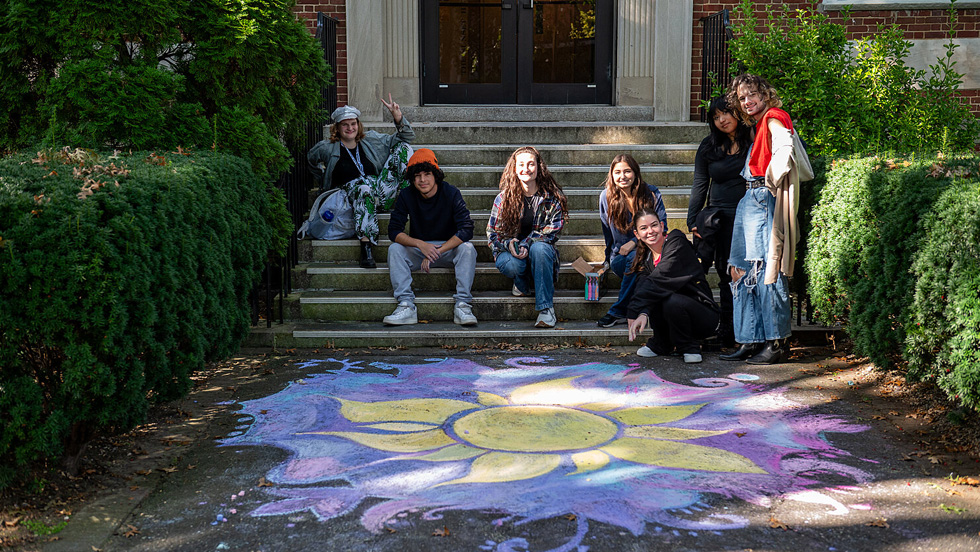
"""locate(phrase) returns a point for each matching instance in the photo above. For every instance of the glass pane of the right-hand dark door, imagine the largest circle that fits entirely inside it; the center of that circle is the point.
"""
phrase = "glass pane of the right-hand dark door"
(564, 41)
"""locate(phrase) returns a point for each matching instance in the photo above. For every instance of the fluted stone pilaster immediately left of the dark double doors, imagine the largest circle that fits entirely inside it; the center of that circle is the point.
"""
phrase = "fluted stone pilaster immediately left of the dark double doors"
(401, 76)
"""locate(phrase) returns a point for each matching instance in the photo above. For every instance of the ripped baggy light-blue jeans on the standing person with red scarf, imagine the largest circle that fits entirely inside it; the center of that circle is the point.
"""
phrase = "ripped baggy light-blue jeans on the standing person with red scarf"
(761, 312)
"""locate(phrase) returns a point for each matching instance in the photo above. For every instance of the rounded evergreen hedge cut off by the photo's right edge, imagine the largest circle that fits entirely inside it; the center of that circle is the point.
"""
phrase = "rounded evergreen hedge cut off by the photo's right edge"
(944, 341)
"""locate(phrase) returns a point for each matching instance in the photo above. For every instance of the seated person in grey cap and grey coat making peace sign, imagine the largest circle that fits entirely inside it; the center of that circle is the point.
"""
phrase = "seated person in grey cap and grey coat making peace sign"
(368, 166)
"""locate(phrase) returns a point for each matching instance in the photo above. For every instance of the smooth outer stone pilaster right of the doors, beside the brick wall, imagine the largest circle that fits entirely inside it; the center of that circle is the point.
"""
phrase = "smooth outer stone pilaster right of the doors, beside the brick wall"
(673, 30)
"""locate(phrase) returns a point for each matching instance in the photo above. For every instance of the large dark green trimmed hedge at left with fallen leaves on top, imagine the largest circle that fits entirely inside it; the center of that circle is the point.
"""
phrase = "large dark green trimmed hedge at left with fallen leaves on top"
(119, 276)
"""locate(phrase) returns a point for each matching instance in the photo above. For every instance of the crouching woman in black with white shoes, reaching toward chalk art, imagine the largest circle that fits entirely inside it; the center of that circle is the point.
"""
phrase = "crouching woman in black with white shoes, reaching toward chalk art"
(671, 293)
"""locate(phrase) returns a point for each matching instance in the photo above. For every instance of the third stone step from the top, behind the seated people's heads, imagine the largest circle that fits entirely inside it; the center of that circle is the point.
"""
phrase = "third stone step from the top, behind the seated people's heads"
(565, 154)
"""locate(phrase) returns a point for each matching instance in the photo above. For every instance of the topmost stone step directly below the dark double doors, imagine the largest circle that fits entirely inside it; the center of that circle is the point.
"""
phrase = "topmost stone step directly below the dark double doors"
(520, 113)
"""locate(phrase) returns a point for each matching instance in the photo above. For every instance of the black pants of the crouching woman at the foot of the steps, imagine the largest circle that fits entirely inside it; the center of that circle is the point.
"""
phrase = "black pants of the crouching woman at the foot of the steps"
(679, 323)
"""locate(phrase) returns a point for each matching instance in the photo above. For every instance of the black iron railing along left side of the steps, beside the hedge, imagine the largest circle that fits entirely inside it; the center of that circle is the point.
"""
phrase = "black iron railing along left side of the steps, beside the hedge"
(276, 283)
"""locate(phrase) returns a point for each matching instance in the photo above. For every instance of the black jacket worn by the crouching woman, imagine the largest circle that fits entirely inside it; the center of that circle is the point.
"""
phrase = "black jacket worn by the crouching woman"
(679, 271)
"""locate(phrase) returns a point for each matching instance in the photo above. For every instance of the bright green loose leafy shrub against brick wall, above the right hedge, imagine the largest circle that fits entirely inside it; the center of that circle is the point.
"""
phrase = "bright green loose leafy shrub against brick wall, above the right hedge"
(854, 96)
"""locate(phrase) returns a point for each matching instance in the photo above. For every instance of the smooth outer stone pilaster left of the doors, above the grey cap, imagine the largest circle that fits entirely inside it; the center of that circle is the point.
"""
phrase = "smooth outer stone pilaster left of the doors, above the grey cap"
(365, 56)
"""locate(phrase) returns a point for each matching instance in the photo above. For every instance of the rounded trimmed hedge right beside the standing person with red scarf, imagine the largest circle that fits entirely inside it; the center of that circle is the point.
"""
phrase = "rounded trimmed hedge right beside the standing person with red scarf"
(867, 231)
